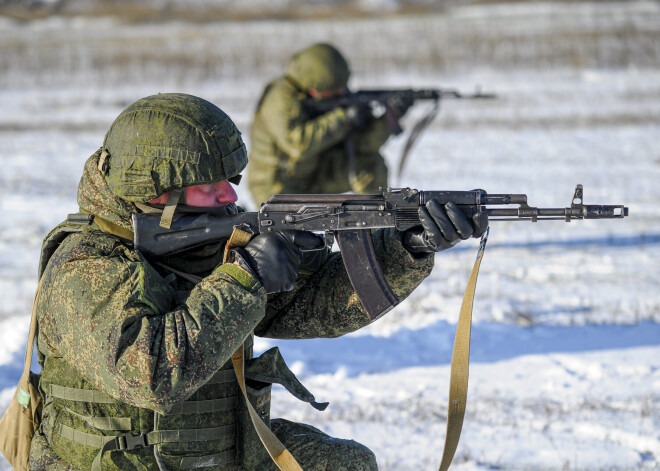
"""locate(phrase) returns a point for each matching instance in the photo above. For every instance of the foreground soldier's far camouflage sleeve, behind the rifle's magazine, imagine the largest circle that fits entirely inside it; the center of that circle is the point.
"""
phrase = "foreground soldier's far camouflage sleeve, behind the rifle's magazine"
(325, 304)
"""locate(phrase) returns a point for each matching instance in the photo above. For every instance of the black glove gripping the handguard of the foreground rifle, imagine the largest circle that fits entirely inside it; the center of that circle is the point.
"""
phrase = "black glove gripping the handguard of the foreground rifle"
(442, 228)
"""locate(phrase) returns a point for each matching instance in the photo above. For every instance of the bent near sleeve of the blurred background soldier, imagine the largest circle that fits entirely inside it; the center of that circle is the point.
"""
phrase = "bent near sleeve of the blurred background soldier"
(300, 137)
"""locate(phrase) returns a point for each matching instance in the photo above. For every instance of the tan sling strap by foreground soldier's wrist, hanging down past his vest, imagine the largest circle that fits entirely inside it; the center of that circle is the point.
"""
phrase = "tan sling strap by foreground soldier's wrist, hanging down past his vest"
(277, 451)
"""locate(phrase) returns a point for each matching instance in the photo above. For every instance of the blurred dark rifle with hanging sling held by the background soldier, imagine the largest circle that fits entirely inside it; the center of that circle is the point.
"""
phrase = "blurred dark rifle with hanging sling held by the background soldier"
(381, 99)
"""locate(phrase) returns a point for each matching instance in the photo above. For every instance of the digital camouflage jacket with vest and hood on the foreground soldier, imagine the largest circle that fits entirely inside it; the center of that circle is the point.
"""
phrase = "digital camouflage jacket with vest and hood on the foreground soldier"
(135, 361)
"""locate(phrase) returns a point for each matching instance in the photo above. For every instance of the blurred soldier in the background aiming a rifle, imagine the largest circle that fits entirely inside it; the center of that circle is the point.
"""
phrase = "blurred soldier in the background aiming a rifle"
(293, 151)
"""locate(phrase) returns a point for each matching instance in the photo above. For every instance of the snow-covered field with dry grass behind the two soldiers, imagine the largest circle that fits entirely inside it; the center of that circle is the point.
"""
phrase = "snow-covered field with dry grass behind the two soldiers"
(565, 363)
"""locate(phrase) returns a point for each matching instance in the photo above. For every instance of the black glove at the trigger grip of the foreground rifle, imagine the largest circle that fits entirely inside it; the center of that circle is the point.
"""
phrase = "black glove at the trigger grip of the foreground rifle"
(274, 257)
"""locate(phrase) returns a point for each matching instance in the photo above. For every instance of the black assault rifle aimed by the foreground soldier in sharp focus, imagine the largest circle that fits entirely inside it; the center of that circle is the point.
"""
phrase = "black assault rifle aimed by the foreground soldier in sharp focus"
(350, 218)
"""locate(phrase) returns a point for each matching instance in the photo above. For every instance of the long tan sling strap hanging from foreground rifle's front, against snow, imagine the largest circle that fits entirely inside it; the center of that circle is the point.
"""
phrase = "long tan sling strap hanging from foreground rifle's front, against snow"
(460, 362)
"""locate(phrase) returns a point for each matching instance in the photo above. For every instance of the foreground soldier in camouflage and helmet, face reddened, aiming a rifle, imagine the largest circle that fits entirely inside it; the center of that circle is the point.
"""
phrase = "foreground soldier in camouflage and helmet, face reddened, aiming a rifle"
(136, 353)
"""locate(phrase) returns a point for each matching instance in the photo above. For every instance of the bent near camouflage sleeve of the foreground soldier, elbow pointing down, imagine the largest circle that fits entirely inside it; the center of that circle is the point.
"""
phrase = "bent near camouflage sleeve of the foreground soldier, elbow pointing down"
(110, 315)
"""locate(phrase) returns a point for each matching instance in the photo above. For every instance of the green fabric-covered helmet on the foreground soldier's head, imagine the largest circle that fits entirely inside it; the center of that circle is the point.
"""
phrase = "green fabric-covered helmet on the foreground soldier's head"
(170, 141)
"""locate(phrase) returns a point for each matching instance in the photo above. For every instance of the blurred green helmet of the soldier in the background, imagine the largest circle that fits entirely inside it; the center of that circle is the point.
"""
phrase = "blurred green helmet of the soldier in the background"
(321, 67)
